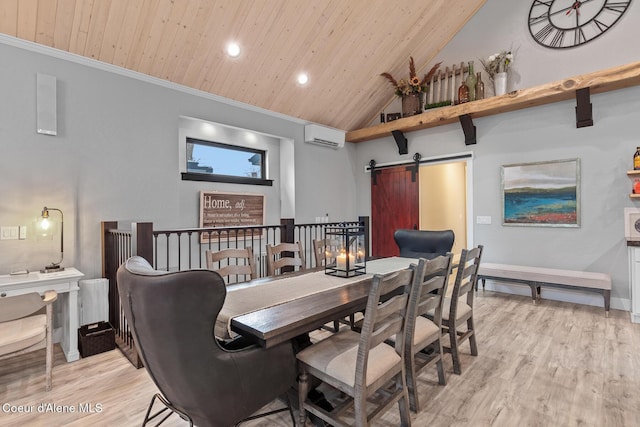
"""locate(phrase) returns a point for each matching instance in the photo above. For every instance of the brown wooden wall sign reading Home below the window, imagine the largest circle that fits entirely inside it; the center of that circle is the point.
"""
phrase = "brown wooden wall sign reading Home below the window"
(218, 209)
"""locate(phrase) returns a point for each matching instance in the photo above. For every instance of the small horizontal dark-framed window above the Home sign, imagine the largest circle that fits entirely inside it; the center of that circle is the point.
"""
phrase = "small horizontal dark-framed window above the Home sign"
(214, 161)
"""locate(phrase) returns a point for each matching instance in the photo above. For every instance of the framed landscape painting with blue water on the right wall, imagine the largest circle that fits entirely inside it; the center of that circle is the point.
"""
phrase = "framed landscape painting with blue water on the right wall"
(543, 194)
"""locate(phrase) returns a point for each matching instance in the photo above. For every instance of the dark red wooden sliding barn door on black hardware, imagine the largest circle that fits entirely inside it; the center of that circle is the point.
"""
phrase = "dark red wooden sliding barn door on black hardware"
(394, 204)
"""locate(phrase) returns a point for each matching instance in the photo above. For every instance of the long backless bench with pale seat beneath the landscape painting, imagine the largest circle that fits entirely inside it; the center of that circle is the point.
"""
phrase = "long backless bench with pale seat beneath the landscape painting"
(536, 277)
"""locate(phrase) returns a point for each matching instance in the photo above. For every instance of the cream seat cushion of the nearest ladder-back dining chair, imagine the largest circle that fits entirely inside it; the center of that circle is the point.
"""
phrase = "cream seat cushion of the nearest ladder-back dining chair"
(336, 356)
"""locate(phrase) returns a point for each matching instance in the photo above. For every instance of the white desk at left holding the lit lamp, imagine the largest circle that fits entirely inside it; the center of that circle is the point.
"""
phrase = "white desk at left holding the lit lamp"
(65, 283)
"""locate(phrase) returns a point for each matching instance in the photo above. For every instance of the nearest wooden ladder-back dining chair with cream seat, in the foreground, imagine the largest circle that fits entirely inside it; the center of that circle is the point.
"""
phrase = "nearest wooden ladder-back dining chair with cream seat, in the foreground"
(360, 364)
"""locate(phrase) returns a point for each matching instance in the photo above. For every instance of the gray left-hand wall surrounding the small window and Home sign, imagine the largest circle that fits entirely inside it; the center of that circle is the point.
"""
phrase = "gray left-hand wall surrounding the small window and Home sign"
(116, 156)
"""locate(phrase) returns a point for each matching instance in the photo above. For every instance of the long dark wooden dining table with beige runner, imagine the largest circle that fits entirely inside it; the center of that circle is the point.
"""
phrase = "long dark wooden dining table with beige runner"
(273, 310)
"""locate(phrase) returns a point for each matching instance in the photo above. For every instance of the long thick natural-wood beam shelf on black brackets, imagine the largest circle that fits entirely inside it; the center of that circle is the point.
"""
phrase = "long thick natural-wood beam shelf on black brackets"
(598, 82)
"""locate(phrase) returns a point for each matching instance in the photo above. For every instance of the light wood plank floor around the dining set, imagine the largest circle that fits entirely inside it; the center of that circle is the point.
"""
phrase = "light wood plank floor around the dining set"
(554, 364)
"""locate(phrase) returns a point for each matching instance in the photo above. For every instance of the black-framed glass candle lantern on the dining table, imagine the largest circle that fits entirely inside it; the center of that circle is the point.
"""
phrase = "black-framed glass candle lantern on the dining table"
(351, 257)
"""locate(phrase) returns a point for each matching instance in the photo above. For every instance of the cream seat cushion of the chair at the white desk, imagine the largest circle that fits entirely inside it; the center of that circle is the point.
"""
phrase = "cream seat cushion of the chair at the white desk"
(19, 334)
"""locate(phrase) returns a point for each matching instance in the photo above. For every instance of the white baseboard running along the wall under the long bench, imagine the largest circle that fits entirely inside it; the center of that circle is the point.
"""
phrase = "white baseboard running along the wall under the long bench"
(577, 296)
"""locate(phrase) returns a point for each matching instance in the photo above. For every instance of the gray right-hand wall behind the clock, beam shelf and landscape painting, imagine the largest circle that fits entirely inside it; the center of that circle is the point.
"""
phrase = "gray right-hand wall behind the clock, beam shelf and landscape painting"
(539, 134)
